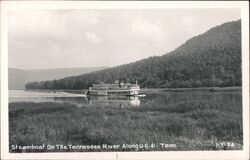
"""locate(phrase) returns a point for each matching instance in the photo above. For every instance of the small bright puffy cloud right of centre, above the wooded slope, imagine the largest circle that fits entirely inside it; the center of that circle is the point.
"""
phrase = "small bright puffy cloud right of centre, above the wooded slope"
(144, 27)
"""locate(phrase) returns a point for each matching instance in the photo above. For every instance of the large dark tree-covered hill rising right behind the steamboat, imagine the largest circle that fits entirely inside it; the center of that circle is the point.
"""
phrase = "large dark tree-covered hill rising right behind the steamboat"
(209, 59)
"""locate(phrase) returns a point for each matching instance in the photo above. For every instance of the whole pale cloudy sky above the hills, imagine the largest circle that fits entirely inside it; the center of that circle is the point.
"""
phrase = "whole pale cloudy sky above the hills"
(43, 39)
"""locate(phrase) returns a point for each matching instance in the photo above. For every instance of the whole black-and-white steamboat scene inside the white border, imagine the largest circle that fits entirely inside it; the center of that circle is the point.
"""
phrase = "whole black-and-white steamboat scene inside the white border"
(125, 80)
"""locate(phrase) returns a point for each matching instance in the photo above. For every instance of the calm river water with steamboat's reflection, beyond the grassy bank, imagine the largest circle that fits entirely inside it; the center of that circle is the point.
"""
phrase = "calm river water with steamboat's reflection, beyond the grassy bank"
(152, 99)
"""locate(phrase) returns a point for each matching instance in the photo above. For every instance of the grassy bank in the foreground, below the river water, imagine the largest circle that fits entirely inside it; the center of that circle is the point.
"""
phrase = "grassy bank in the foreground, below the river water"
(190, 125)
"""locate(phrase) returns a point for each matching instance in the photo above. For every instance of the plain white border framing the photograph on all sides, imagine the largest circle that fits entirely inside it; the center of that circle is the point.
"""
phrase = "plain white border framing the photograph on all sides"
(239, 155)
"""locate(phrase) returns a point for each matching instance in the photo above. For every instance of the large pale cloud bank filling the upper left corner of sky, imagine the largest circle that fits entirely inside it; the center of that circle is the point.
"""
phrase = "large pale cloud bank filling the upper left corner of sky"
(51, 24)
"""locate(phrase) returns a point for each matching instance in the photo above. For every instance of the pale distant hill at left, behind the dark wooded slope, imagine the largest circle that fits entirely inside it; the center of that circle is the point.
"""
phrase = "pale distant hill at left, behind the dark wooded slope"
(18, 78)
